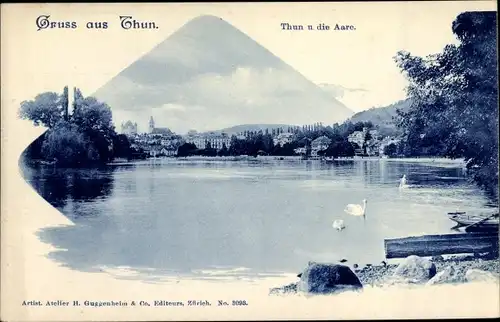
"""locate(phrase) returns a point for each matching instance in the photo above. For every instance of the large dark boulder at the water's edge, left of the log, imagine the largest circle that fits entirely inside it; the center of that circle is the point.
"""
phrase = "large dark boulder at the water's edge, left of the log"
(320, 278)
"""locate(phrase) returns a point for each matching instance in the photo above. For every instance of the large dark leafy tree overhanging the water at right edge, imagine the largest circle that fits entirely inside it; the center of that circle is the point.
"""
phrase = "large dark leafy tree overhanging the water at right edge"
(454, 98)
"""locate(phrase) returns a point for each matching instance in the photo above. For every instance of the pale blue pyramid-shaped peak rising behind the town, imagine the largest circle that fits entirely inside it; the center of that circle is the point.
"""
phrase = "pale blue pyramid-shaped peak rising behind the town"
(209, 74)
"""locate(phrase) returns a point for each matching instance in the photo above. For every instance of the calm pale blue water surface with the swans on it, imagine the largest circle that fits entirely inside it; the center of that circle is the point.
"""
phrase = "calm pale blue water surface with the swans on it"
(244, 218)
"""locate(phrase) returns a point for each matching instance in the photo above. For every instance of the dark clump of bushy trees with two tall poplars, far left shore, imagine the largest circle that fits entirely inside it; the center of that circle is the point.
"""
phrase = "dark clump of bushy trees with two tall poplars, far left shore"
(83, 137)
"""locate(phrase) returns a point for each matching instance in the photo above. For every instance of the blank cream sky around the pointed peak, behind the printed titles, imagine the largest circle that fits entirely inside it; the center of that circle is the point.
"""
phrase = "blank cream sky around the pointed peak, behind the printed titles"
(361, 59)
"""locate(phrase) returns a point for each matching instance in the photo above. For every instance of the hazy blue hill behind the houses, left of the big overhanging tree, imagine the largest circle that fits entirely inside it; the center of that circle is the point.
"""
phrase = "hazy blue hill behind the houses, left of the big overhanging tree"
(382, 117)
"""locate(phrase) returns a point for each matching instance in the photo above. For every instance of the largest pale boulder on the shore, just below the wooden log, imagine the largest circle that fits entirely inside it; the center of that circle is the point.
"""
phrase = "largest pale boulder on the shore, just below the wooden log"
(415, 269)
